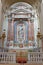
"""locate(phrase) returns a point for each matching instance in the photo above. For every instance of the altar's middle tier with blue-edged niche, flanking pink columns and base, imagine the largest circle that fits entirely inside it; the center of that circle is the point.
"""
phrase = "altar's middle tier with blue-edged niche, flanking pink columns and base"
(20, 32)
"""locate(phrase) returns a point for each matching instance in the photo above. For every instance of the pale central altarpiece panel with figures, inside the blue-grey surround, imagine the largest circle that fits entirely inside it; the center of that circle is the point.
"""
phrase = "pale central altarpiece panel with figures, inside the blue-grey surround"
(21, 33)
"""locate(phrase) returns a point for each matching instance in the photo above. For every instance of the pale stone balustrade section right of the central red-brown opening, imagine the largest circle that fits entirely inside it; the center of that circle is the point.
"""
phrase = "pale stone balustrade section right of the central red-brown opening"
(36, 57)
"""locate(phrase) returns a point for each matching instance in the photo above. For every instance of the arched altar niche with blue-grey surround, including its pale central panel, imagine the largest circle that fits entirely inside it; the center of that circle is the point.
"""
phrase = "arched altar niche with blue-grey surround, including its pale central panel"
(20, 32)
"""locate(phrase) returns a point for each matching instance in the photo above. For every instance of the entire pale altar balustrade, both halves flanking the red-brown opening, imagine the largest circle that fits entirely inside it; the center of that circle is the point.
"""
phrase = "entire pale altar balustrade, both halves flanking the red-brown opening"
(34, 57)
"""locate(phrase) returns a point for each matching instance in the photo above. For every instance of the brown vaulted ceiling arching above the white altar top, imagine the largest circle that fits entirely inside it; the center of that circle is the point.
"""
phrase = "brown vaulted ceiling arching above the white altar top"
(8, 3)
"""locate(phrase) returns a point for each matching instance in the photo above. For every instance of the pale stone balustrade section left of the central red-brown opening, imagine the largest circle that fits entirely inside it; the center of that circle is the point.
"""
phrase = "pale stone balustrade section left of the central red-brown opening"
(6, 57)
